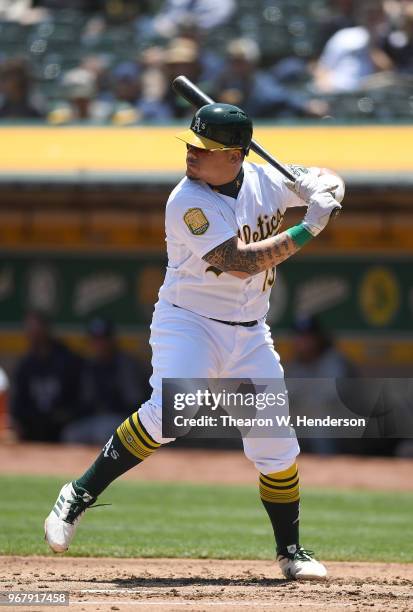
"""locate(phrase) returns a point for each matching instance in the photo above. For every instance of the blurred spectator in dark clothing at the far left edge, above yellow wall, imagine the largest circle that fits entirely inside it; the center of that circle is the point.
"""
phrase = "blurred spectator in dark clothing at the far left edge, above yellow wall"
(16, 92)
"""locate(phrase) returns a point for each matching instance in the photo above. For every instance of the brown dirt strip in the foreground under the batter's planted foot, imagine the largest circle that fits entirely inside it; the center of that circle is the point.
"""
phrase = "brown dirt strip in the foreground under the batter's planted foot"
(188, 584)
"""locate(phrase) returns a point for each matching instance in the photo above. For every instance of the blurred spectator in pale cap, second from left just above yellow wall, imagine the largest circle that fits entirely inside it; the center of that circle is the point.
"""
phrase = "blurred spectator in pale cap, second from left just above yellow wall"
(79, 103)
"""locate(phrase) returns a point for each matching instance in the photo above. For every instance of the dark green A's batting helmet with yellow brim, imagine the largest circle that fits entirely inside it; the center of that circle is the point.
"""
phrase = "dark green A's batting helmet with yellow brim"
(219, 126)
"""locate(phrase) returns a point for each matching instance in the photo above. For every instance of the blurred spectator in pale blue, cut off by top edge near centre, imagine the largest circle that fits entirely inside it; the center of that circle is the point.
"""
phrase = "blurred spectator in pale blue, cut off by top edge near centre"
(207, 14)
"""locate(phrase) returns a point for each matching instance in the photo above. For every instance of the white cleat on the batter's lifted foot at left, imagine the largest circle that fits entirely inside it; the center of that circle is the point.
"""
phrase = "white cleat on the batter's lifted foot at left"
(61, 524)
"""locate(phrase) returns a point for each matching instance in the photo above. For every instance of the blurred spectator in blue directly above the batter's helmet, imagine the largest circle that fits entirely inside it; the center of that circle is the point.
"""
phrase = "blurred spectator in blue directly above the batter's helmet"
(244, 85)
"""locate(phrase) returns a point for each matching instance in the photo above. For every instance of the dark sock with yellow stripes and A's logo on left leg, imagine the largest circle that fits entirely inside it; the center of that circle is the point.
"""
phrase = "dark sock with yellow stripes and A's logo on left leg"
(129, 446)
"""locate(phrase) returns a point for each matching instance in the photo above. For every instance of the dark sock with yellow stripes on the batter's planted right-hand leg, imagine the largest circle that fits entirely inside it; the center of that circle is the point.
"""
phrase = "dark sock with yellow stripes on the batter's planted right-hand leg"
(280, 495)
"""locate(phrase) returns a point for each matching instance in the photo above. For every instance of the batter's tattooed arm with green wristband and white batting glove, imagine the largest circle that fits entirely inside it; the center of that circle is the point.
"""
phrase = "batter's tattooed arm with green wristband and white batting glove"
(243, 260)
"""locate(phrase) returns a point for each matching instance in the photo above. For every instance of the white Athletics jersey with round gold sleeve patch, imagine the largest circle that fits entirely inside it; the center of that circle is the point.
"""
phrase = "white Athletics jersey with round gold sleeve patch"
(198, 219)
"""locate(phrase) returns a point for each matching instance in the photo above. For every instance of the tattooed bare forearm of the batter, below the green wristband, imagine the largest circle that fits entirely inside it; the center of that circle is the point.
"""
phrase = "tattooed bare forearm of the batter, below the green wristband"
(234, 256)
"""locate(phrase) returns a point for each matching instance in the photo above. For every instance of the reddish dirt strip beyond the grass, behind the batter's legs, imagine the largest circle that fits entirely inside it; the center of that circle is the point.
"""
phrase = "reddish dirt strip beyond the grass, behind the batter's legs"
(220, 467)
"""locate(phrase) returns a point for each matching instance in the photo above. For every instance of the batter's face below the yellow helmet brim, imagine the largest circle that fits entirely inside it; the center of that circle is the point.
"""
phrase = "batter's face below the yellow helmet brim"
(213, 167)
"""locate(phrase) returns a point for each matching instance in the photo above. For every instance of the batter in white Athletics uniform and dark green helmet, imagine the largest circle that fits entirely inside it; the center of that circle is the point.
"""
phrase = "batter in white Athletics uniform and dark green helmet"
(222, 224)
